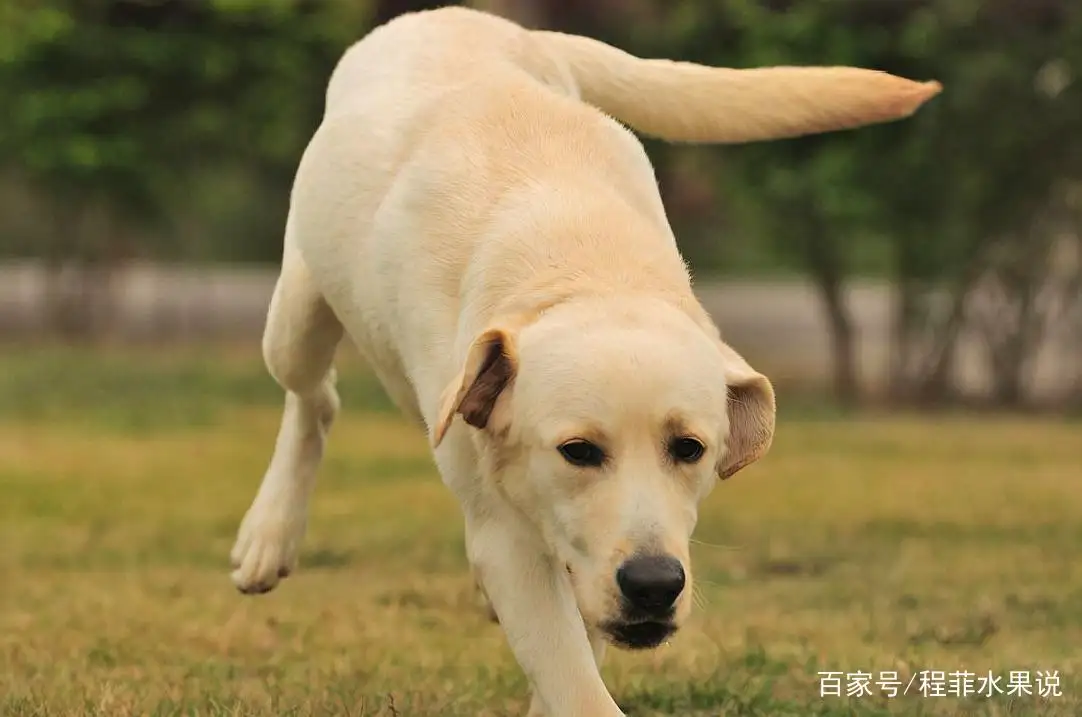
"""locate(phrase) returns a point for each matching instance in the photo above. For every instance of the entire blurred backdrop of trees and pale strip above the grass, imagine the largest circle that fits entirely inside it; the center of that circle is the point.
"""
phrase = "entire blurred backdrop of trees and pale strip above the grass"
(148, 149)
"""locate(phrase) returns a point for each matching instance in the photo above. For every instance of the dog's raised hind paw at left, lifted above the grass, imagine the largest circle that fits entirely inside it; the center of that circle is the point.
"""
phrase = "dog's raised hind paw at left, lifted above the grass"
(267, 549)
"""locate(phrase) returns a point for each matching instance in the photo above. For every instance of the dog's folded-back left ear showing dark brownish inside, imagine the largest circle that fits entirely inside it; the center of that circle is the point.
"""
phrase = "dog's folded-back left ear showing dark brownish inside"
(491, 366)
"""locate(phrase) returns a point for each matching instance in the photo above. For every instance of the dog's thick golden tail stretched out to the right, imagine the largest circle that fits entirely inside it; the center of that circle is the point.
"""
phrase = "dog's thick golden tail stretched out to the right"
(684, 102)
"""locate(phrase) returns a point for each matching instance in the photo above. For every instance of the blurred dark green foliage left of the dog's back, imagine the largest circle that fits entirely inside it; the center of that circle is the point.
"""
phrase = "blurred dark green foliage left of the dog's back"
(117, 108)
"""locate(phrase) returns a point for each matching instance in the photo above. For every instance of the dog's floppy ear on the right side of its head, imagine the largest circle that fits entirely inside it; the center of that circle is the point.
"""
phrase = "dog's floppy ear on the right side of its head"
(751, 408)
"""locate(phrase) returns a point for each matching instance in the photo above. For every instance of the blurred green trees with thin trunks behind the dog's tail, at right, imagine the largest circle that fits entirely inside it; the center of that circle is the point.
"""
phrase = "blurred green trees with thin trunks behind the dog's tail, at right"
(978, 168)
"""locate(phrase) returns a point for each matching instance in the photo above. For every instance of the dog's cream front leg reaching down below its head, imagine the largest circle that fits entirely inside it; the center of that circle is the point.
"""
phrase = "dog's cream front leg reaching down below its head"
(536, 607)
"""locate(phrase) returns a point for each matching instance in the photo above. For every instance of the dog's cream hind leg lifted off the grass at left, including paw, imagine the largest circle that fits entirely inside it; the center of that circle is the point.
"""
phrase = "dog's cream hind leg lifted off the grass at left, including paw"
(299, 343)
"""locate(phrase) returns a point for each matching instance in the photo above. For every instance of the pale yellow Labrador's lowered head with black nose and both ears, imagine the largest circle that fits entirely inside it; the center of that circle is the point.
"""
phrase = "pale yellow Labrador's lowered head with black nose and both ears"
(606, 423)
